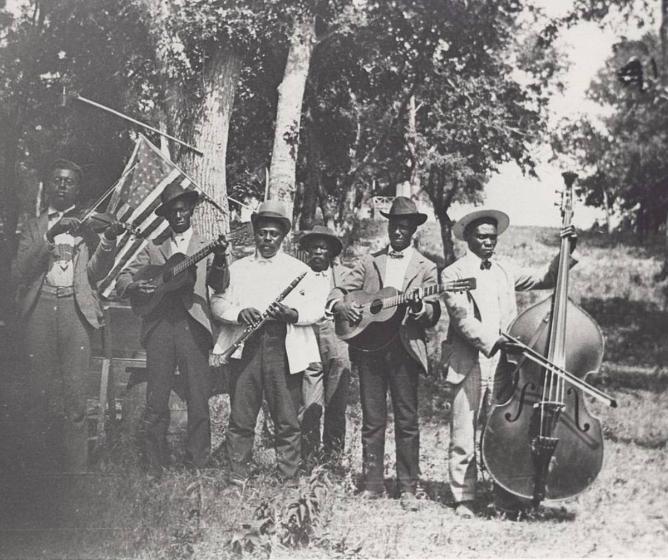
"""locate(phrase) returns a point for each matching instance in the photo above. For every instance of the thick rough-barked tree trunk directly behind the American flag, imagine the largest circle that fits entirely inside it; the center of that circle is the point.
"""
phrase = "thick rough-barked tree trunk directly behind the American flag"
(210, 134)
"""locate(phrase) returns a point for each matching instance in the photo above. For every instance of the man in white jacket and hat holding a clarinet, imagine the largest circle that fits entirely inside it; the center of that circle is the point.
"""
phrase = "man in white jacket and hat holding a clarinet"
(273, 359)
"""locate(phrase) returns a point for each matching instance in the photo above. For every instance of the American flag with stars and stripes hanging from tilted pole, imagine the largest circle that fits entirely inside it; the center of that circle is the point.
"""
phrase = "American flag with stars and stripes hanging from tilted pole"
(134, 201)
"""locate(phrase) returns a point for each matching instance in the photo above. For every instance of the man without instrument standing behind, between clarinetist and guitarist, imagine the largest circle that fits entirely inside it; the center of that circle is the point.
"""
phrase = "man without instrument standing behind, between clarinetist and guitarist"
(326, 381)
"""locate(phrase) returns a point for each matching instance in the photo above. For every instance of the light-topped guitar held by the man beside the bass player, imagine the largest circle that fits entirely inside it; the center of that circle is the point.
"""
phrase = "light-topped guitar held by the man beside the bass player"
(382, 313)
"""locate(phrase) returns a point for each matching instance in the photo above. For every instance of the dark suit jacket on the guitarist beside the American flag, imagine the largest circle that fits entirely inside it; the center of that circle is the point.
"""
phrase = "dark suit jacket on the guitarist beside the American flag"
(197, 303)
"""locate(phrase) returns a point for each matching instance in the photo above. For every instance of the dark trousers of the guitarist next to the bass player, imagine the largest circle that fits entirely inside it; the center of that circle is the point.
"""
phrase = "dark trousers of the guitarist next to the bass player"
(391, 368)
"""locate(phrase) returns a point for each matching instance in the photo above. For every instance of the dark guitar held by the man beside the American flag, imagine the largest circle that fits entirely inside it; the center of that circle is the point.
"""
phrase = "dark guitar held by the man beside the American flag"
(177, 273)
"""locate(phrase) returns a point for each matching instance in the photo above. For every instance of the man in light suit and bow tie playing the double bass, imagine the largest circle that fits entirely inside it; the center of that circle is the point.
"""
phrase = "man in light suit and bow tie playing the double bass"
(471, 351)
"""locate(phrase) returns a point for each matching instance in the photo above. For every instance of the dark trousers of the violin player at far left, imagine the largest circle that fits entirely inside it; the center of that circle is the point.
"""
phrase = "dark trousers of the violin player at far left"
(57, 343)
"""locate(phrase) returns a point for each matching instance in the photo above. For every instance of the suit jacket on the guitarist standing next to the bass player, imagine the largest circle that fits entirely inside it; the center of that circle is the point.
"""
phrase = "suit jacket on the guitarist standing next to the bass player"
(421, 272)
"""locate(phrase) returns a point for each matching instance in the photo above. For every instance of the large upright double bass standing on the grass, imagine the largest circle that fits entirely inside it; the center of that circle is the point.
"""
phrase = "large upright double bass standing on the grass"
(542, 442)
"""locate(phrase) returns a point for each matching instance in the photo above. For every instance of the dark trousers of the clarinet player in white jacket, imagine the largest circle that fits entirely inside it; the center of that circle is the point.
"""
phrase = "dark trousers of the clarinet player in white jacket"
(264, 368)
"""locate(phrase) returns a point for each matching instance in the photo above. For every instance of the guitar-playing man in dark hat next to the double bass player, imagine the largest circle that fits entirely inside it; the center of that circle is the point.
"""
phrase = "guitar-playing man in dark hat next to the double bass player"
(397, 365)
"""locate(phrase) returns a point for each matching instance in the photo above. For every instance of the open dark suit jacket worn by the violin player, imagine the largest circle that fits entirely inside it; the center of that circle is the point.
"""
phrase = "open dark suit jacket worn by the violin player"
(91, 265)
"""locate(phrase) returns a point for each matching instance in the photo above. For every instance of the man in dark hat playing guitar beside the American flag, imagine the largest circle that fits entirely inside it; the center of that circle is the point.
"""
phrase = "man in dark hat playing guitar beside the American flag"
(178, 333)
